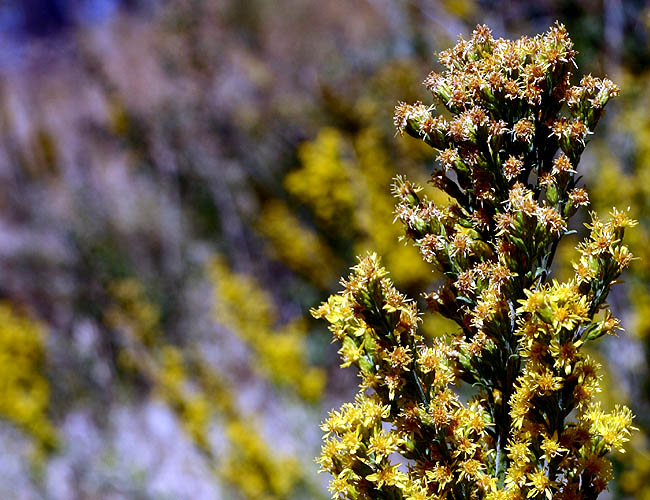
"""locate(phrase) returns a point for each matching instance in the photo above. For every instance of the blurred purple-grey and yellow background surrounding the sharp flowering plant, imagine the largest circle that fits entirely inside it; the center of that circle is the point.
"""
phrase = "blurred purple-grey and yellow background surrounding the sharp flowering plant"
(181, 180)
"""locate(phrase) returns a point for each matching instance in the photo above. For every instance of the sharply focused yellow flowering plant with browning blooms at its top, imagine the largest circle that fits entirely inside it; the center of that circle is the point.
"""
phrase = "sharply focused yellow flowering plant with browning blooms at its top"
(505, 408)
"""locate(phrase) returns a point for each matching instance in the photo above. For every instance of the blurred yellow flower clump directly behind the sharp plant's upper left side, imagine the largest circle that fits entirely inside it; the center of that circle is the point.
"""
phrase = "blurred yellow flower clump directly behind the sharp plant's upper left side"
(340, 181)
